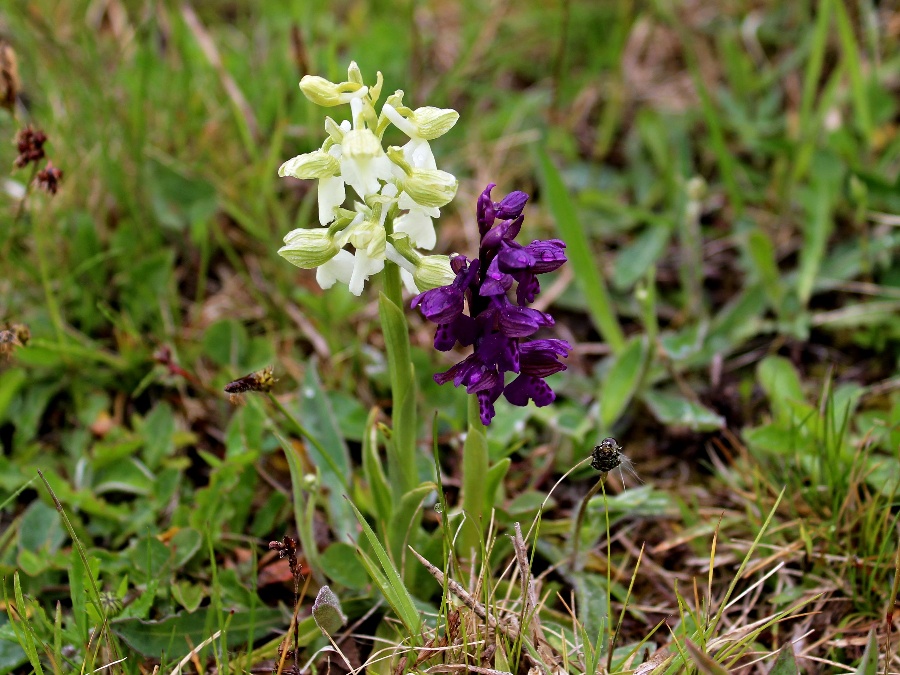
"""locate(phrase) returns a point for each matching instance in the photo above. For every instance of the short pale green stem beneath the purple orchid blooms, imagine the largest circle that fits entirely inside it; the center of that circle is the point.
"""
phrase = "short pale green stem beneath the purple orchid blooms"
(474, 480)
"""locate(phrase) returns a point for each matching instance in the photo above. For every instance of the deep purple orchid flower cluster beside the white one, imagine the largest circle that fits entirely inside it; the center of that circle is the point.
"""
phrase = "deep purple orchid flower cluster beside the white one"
(495, 325)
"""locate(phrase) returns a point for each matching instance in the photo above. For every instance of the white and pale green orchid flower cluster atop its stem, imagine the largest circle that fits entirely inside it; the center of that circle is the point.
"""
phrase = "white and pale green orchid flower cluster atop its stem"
(403, 183)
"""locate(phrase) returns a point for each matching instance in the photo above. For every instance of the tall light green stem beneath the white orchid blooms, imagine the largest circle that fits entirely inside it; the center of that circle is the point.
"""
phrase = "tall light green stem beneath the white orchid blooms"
(402, 449)
